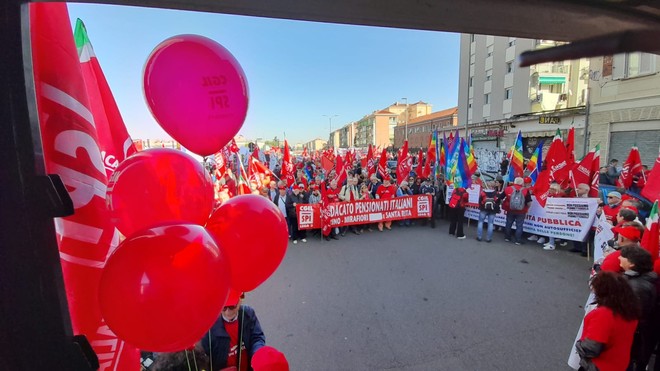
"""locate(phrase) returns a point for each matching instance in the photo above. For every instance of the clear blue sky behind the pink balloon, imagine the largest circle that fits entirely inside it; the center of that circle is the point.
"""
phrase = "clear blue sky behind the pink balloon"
(297, 71)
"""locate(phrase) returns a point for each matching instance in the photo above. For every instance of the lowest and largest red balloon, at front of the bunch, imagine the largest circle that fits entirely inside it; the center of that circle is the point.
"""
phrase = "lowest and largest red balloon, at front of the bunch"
(164, 287)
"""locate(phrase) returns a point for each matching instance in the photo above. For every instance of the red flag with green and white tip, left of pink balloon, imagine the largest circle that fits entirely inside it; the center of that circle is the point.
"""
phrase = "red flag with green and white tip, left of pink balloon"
(114, 140)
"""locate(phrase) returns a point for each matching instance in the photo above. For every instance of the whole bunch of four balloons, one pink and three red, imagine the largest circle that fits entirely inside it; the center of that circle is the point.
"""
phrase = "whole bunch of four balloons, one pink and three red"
(166, 283)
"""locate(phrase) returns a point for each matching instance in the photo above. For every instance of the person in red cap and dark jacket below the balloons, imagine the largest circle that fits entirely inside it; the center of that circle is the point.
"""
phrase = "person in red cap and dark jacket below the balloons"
(237, 323)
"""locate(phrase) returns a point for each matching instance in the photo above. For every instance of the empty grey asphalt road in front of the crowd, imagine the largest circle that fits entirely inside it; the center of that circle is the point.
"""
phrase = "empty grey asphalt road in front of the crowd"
(417, 299)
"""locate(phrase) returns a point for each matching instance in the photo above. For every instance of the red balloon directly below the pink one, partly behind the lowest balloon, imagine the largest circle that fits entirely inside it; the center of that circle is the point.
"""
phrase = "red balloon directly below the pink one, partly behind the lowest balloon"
(159, 186)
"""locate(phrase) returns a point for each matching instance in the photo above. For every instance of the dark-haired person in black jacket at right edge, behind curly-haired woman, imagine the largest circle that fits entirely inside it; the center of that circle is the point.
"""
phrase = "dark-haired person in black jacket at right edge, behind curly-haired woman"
(638, 269)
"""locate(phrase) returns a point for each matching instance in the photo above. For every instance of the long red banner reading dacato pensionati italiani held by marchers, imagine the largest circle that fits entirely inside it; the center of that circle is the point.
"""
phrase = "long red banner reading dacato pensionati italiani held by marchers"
(364, 212)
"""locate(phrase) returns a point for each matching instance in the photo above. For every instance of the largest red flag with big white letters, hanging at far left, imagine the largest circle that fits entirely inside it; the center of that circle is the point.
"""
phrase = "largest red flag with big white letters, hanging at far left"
(72, 149)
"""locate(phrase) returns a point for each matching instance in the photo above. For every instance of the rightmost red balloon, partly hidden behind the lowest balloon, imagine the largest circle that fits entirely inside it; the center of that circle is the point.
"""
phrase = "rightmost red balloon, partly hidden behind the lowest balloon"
(252, 232)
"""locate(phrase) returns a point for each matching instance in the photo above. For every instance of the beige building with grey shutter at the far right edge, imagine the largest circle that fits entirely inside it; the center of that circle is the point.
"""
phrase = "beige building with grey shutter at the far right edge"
(624, 106)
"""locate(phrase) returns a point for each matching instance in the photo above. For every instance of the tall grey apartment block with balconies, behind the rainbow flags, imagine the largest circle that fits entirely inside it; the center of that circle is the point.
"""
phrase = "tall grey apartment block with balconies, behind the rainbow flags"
(497, 98)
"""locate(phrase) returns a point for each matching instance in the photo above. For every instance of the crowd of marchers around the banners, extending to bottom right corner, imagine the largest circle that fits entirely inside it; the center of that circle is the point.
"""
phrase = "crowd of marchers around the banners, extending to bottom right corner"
(623, 329)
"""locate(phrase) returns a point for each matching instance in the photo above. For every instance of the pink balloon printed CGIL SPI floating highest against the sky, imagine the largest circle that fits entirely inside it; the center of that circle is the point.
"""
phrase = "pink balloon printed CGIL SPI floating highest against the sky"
(197, 92)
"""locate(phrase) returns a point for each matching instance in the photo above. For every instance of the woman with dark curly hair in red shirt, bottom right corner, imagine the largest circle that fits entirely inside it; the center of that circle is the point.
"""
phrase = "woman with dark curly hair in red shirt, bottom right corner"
(609, 328)
